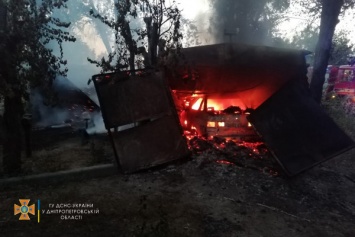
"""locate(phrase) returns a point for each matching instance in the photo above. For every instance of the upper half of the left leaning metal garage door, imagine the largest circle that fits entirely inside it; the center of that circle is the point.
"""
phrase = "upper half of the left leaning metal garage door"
(129, 99)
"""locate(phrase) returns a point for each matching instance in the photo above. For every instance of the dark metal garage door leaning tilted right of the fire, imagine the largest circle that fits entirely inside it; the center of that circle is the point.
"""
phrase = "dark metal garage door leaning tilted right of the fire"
(297, 130)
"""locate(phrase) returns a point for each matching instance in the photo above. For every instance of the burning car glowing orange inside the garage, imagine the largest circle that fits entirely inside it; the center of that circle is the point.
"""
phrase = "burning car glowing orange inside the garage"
(209, 117)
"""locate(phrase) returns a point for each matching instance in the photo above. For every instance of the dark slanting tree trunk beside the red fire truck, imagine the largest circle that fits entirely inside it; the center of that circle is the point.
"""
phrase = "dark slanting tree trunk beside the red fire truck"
(329, 19)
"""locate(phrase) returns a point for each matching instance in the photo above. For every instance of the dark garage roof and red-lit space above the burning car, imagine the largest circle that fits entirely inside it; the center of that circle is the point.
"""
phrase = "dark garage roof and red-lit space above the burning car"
(250, 73)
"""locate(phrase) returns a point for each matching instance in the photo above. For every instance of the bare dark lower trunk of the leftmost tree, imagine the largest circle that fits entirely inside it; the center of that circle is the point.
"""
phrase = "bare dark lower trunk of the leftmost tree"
(12, 134)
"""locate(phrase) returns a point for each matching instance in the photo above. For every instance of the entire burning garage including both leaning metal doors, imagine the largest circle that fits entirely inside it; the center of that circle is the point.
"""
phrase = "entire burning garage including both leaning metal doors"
(226, 90)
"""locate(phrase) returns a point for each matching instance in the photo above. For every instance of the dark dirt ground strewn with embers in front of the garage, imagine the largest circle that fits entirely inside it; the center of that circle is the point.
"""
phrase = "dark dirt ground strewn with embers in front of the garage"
(224, 189)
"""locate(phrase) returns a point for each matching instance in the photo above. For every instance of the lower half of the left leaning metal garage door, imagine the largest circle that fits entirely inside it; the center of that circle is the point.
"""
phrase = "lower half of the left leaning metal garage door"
(149, 145)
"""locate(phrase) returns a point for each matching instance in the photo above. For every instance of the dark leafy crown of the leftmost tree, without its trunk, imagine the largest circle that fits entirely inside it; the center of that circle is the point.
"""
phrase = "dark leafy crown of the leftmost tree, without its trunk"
(26, 45)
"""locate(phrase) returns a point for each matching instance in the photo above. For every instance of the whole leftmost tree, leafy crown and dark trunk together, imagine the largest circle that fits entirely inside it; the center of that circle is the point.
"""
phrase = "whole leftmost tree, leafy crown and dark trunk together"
(27, 61)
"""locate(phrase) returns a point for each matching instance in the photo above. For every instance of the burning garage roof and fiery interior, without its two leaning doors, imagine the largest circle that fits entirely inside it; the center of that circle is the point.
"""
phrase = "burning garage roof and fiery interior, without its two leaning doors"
(222, 84)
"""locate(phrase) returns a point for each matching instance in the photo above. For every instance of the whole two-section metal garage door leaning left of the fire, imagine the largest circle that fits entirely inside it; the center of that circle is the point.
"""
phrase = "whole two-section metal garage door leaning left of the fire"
(145, 101)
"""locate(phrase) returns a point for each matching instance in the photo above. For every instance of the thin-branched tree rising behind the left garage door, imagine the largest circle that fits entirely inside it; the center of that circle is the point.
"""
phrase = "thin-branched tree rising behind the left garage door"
(140, 29)
